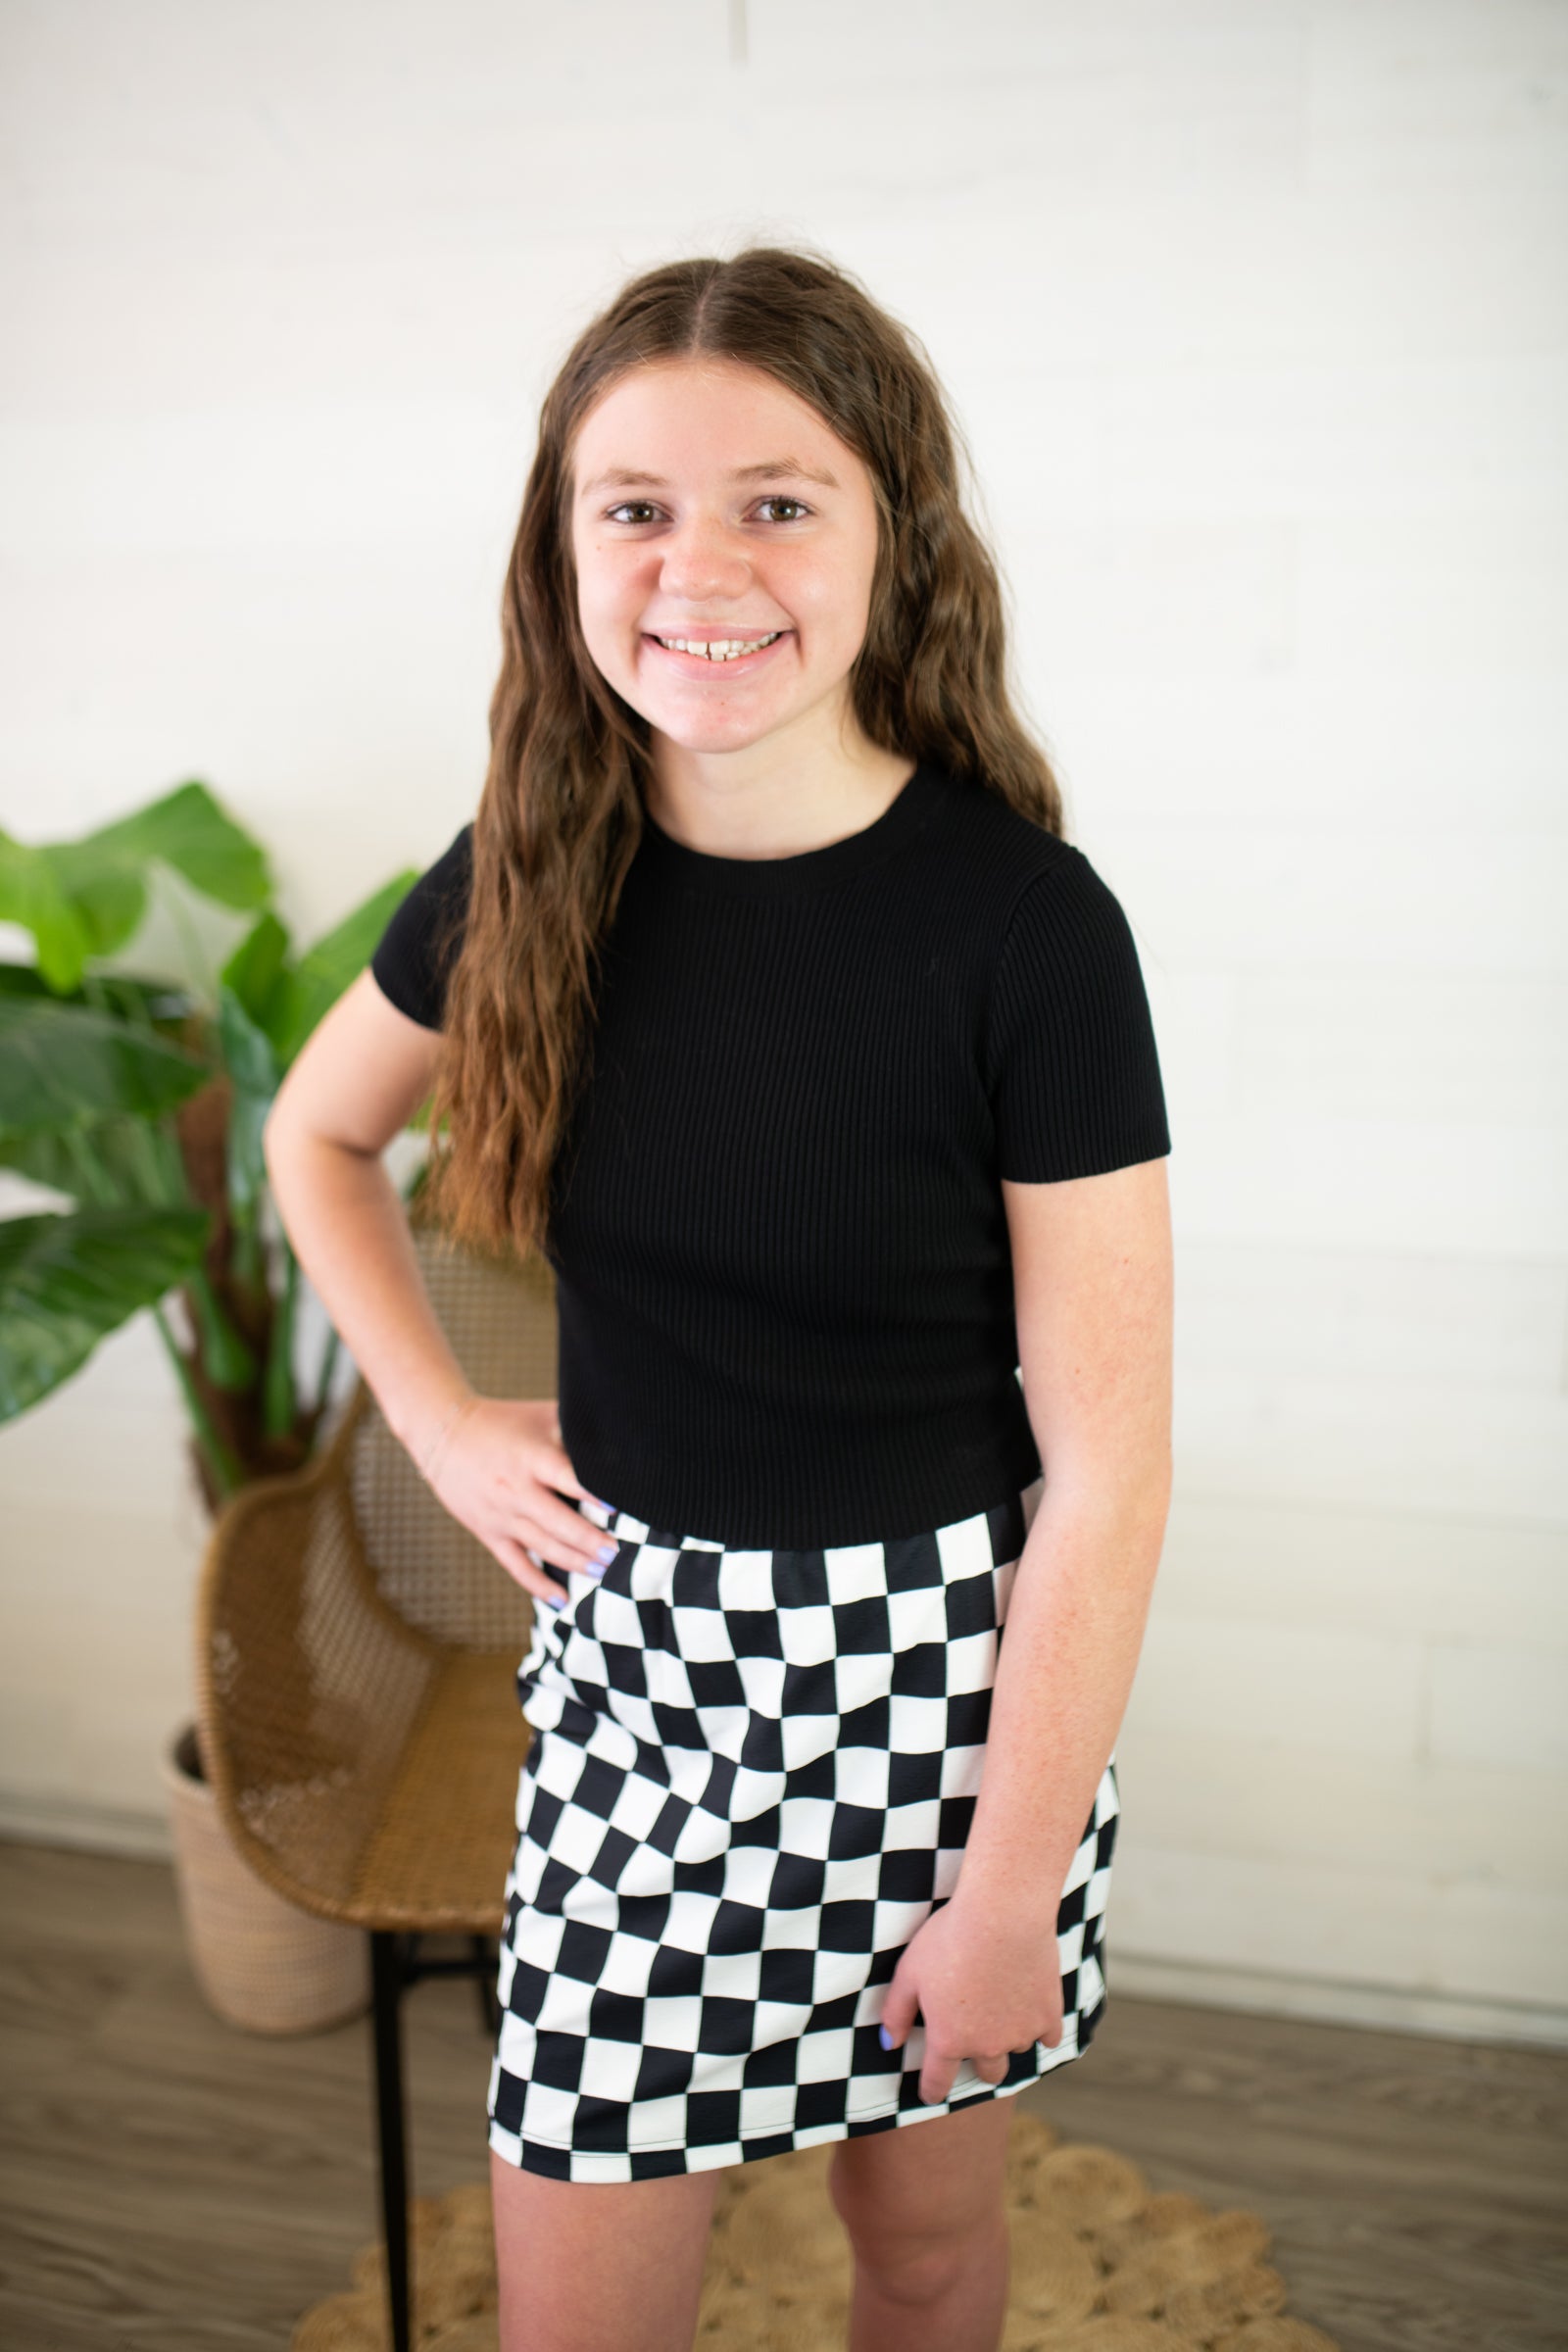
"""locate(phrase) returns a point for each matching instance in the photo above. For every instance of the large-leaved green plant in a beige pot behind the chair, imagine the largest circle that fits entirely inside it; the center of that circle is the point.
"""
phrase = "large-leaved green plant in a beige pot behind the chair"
(140, 1100)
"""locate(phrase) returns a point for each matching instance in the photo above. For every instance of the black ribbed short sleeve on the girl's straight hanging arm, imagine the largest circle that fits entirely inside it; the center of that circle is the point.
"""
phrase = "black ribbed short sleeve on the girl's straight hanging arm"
(1073, 1069)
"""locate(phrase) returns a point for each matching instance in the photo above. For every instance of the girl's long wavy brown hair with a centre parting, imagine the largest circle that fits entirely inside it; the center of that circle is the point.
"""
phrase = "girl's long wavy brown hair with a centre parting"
(570, 761)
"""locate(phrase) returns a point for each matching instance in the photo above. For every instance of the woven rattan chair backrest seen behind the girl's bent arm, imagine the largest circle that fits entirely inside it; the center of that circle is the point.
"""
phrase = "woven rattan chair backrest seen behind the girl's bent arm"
(500, 1321)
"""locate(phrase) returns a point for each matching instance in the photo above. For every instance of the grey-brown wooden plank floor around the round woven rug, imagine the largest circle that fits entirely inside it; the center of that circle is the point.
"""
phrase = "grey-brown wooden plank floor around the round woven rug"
(175, 2186)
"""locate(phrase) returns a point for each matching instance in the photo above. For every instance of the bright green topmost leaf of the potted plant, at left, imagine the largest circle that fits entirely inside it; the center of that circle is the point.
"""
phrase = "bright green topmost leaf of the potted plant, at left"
(88, 897)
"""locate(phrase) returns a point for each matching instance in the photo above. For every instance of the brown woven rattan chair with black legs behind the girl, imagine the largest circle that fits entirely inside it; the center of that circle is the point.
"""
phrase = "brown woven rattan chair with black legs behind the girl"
(356, 1690)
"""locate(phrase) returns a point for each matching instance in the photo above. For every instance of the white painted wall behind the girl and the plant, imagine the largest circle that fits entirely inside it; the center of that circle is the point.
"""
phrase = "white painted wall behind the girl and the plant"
(1259, 326)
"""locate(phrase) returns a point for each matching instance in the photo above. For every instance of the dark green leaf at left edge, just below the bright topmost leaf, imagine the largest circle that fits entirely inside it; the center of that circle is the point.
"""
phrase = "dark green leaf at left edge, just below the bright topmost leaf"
(67, 1067)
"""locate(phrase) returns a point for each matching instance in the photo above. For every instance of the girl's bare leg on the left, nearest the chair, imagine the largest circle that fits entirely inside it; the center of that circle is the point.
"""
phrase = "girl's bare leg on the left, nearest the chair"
(587, 2266)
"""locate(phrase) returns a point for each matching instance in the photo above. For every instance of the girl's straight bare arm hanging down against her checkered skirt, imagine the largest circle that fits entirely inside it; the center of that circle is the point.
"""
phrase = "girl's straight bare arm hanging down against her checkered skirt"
(1094, 1295)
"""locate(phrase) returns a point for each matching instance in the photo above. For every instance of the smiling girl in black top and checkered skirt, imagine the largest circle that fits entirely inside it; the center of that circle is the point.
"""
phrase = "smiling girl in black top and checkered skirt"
(765, 996)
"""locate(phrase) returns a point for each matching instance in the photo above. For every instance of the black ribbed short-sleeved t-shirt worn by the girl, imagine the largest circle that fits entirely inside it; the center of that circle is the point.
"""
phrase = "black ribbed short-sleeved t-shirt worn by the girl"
(779, 1245)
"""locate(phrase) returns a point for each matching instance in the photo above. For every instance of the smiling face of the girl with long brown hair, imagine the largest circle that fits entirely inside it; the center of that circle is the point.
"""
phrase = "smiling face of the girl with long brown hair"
(718, 512)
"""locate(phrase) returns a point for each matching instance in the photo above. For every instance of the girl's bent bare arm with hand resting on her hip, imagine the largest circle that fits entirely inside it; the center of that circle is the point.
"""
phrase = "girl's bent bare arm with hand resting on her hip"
(502, 1466)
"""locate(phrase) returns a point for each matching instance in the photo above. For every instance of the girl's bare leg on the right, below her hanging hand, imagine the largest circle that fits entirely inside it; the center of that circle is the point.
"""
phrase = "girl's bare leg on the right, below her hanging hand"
(927, 2217)
